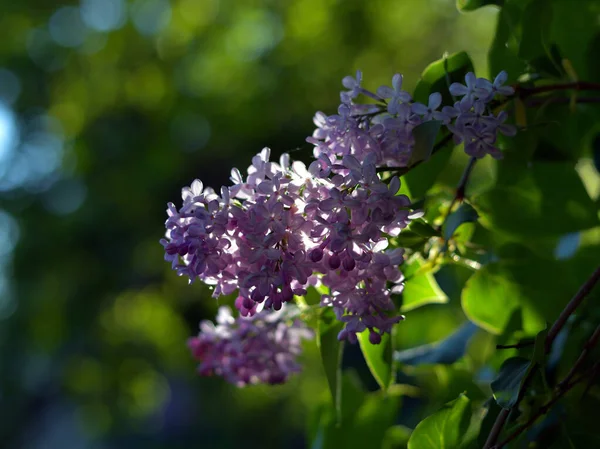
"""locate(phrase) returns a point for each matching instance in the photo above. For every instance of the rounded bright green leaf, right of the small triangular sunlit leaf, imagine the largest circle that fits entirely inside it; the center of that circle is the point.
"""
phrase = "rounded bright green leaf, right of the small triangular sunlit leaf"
(489, 298)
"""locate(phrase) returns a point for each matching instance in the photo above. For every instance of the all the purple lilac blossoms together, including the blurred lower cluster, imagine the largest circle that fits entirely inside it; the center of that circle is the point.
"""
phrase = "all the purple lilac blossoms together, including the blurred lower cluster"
(285, 227)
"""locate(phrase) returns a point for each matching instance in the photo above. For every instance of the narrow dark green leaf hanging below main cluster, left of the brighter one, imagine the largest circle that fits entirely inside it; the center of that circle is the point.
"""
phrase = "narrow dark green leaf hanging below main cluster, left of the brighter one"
(331, 355)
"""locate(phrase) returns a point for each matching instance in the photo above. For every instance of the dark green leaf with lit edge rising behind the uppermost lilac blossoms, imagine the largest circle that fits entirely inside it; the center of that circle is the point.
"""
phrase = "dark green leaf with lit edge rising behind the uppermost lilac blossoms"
(438, 76)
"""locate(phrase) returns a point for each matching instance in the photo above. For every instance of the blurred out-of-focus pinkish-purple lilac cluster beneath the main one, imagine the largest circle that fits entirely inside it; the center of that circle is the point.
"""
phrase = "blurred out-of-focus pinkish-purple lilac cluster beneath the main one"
(258, 349)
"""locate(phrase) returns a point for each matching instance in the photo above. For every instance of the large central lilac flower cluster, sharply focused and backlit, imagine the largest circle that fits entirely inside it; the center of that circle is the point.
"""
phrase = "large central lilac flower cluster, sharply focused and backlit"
(285, 227)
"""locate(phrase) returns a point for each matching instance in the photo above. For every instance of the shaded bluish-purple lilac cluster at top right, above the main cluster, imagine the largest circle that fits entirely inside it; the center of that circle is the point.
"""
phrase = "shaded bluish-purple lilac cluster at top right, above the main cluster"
(385, 128)
